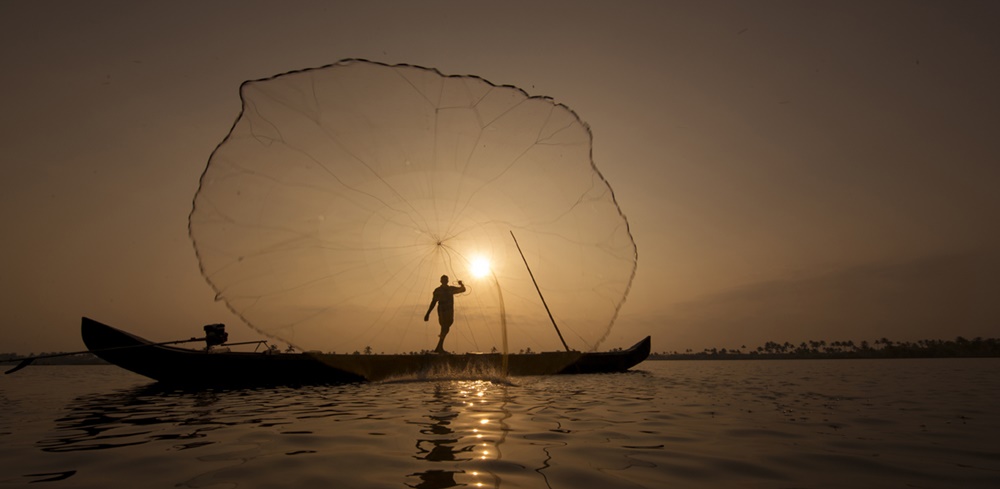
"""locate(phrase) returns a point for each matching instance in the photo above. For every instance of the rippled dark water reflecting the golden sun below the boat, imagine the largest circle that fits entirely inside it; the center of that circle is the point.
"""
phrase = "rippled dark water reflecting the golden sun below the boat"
(927, 423)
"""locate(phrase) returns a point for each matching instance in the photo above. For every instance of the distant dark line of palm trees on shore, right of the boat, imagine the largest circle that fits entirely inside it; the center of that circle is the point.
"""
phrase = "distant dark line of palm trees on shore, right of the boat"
(882, 348)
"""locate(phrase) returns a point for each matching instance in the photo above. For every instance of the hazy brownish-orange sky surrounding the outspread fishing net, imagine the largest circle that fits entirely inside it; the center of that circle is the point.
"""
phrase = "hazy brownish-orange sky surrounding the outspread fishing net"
(791, 170)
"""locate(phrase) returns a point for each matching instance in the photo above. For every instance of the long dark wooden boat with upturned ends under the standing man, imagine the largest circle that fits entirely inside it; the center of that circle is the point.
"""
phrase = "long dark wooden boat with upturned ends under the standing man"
(184, 366)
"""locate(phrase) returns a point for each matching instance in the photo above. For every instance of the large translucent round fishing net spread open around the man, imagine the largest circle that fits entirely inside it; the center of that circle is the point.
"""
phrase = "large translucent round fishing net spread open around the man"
(341, 194)
